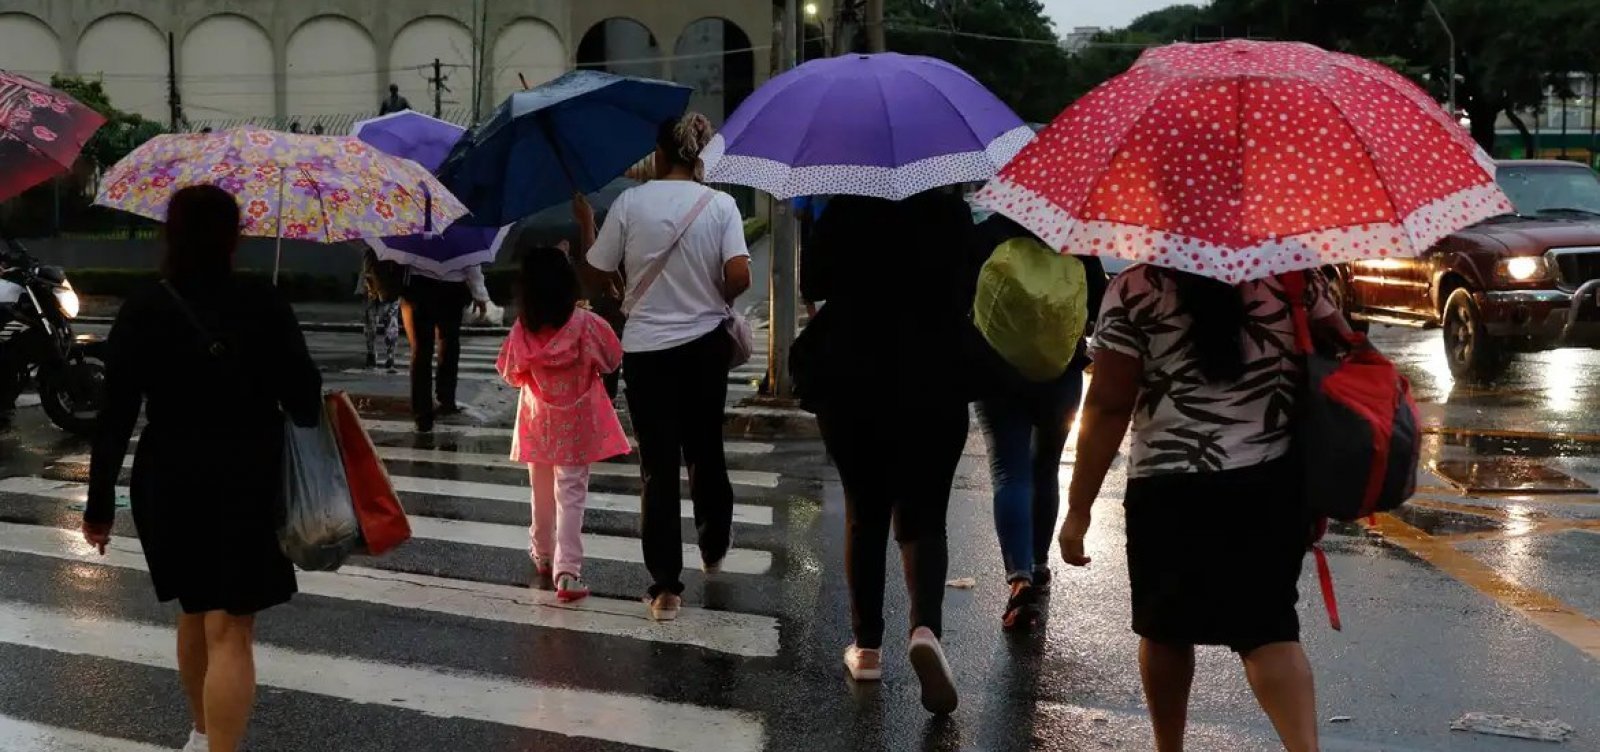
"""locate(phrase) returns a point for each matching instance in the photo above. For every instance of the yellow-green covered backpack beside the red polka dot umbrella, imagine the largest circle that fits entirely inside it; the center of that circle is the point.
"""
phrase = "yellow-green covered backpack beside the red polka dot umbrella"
(1033, 305)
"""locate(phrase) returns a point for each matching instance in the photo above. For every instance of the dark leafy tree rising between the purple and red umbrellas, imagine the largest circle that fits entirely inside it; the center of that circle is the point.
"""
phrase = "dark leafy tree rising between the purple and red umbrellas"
(1009, 46)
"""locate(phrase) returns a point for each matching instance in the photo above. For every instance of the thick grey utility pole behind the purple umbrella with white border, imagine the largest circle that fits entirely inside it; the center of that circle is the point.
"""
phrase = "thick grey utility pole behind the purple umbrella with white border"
(783, 294)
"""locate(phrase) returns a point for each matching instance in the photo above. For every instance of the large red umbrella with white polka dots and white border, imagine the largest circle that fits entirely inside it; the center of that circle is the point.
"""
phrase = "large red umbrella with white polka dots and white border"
(1241, 161)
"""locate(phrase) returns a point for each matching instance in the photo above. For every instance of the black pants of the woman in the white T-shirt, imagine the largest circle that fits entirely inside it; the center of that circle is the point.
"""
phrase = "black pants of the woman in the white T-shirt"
(676, 399)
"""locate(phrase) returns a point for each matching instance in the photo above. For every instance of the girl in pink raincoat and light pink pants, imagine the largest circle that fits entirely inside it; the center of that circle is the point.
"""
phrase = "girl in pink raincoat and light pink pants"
(558, 354)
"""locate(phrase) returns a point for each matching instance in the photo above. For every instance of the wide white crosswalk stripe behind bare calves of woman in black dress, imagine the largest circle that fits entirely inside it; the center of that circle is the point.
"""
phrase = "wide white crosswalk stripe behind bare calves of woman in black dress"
(644, 722)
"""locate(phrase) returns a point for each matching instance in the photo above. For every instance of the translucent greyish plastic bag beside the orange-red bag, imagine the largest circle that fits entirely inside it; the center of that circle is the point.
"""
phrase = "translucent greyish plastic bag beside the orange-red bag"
(319, 518)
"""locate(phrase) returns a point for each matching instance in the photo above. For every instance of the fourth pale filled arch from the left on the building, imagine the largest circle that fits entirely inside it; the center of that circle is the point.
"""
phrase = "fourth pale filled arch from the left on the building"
(332, 70)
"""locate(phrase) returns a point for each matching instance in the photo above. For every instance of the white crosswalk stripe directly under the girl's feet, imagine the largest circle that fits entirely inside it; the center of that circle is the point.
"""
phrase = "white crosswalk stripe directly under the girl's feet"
(719, 631)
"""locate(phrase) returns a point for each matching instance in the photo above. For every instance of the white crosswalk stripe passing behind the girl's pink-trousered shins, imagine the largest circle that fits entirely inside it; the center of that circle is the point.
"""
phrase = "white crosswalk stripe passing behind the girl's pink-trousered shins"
(463, 532)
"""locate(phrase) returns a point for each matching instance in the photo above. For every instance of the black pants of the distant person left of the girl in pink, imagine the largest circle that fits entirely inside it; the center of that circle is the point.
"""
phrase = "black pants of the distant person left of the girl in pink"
(433, 310)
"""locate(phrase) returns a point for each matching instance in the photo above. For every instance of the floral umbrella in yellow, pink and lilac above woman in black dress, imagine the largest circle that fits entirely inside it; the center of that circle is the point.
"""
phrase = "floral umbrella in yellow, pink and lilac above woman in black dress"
(326, 190)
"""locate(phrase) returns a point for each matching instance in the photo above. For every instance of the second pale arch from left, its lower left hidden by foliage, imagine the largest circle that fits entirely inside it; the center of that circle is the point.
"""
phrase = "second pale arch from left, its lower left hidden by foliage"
(130, 57)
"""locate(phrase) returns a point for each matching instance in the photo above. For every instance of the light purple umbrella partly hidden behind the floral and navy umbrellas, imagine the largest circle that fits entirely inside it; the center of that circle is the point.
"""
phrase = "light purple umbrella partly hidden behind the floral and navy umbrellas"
(428, 142)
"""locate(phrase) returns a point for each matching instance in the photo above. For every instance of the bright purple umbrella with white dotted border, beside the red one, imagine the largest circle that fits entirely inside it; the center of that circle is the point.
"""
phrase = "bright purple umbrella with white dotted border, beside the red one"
(881, 126)
